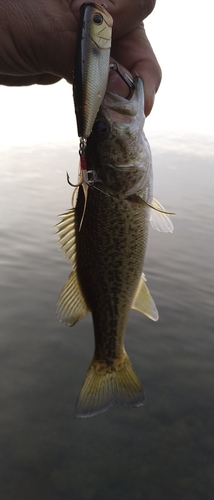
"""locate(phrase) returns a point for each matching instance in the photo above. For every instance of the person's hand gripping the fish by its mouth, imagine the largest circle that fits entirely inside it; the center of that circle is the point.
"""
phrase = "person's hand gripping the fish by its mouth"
(38, 39)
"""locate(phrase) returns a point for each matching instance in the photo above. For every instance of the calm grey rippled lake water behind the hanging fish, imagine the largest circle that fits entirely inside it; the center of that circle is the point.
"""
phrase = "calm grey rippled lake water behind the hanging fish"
(162, 451)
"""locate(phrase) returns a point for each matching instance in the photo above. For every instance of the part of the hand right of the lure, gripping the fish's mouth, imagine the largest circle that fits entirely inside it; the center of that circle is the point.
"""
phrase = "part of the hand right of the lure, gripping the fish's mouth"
(132, 49)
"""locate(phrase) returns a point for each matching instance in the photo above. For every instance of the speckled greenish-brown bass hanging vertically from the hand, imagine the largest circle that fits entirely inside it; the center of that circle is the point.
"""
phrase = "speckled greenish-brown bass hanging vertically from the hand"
(107, 253)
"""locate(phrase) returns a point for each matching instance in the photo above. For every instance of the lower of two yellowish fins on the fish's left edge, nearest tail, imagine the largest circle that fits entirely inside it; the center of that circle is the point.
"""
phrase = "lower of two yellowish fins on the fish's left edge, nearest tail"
(71, 306)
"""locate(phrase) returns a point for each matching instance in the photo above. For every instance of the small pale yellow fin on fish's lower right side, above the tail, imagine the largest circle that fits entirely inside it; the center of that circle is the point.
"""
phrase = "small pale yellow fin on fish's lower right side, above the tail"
(143, 302)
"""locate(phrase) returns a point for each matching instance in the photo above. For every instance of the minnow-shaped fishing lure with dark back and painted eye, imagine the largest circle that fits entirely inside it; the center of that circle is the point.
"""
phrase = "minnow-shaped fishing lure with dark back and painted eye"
(91, 66)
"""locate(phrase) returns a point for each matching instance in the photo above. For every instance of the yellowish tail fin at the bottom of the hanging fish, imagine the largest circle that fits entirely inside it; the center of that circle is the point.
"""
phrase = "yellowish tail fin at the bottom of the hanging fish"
(105, 386)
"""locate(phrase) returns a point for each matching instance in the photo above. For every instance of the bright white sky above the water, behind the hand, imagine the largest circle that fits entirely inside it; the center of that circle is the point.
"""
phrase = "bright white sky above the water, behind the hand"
(181, 33)
